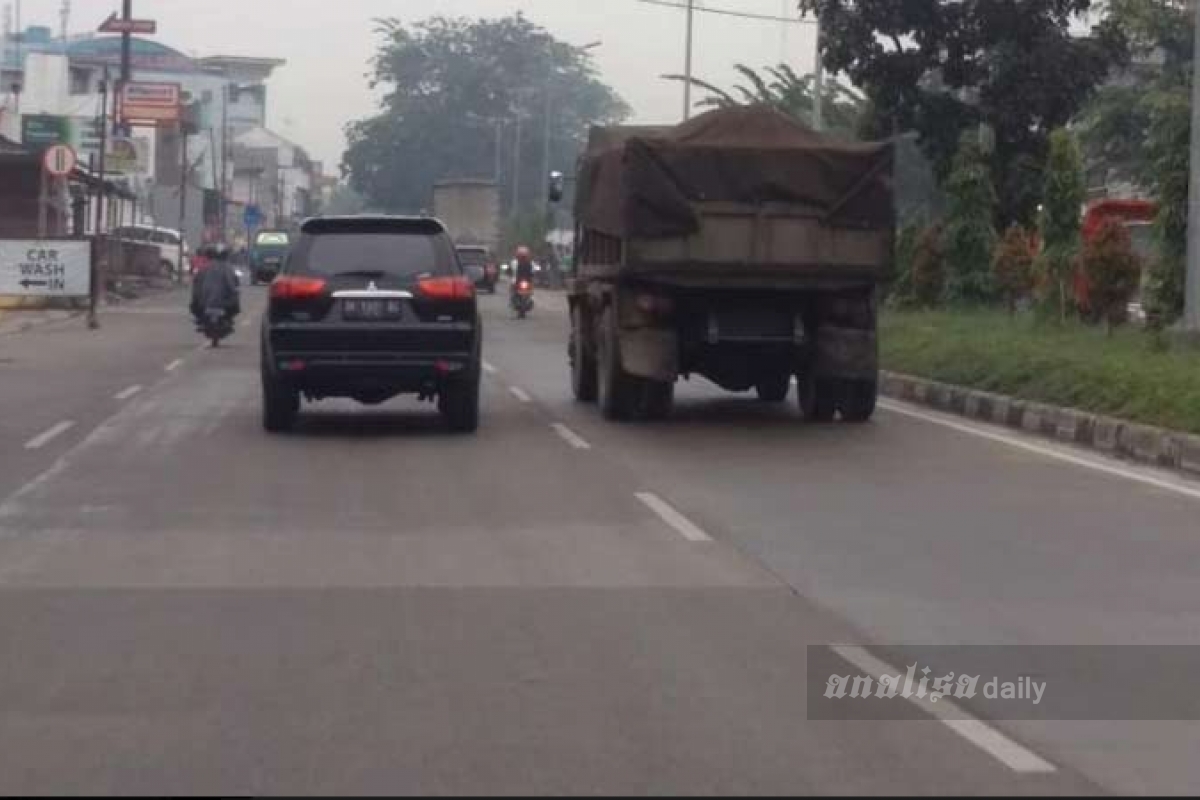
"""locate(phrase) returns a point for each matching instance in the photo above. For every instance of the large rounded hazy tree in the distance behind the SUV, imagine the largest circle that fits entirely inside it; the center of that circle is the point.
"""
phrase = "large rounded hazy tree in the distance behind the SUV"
(447, 83)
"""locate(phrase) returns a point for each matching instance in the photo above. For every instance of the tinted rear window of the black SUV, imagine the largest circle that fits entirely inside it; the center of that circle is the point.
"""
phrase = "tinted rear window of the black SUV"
(394, 255)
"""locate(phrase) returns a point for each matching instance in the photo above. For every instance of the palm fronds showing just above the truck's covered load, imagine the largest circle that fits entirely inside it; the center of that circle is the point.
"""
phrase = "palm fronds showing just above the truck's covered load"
(791, 94)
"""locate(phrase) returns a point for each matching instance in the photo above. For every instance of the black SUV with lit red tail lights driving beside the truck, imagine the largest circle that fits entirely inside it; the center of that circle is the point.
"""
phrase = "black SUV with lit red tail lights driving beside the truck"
(371, 308)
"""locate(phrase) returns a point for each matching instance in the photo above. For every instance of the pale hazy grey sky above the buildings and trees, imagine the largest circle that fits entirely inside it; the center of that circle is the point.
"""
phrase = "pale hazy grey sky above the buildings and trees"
(328, 44)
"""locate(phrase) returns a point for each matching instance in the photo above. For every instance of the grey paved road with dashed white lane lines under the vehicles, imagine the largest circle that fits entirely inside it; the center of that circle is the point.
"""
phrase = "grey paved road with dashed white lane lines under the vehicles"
(371, 605)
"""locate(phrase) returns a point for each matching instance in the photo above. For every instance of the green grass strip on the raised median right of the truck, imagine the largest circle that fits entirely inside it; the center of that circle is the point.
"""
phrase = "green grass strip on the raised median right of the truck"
(1121, 376)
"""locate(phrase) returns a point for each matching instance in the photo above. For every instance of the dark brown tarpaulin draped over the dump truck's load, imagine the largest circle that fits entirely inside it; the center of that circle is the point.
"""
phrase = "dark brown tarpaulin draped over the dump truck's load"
(640, 183)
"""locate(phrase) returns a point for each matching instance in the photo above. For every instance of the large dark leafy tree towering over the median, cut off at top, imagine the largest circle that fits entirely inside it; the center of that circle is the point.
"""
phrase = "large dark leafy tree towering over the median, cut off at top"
(941, 68)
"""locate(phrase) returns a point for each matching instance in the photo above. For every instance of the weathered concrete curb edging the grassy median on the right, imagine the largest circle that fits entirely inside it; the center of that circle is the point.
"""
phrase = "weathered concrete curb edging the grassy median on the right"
(1132, 442)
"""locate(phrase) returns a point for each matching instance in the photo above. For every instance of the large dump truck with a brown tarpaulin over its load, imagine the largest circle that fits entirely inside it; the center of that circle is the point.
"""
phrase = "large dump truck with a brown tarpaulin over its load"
(741, 246)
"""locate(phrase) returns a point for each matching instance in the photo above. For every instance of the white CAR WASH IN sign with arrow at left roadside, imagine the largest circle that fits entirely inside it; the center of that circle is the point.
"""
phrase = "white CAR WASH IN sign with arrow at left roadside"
(46, 268)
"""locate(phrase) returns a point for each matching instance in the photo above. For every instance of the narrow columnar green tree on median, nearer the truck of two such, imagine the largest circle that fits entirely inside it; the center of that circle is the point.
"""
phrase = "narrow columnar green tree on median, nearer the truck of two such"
(970, 236)
